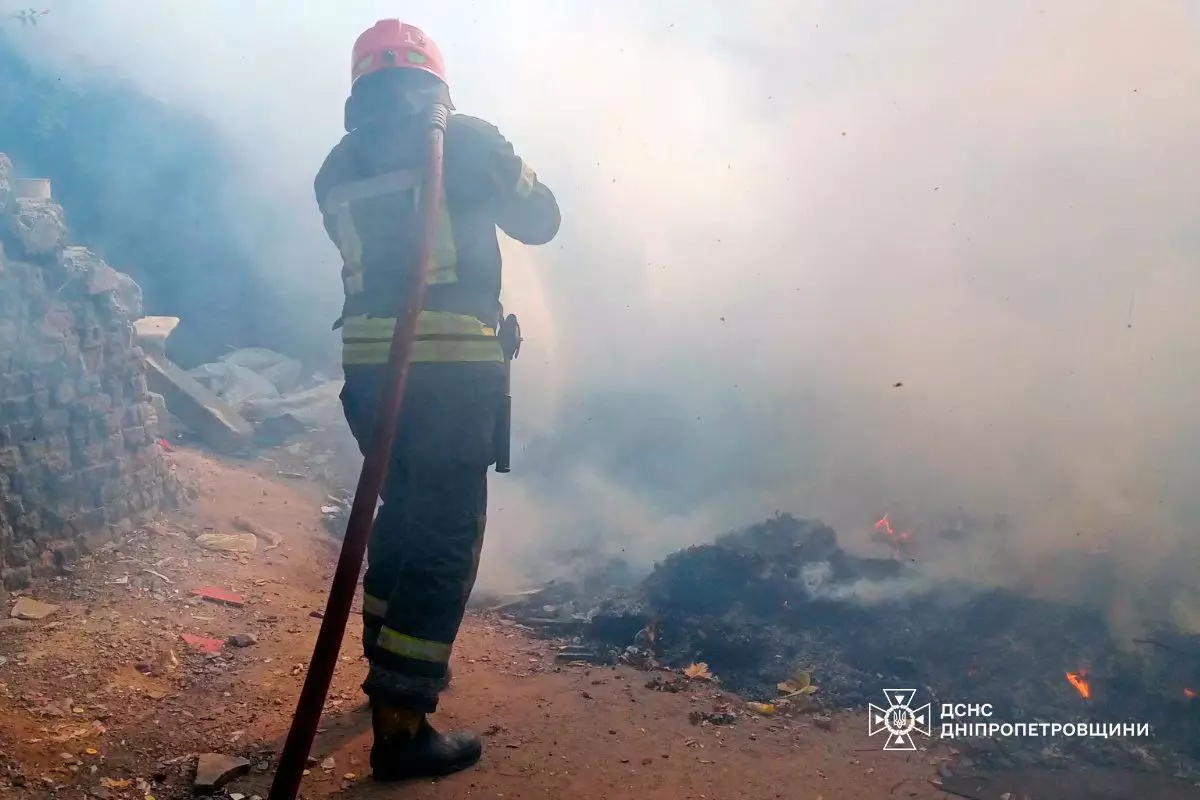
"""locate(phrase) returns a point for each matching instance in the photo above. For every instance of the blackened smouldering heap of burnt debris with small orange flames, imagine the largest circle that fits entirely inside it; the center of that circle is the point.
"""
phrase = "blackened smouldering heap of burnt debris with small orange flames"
(782, 598)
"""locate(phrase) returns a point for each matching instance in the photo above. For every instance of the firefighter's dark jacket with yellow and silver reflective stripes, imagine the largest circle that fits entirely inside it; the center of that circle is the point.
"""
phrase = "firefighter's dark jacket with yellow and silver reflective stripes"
(369, 191)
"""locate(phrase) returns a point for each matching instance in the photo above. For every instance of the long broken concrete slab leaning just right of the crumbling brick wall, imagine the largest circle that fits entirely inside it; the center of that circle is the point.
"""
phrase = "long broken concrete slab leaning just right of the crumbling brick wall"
(208, 416)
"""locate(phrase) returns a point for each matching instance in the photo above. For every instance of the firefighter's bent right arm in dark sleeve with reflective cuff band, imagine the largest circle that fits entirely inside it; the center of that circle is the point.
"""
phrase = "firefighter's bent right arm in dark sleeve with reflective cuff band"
(525, 208)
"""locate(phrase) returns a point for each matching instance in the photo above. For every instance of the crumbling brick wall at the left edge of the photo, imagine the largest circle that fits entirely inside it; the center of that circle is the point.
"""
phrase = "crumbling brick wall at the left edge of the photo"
(80, 461)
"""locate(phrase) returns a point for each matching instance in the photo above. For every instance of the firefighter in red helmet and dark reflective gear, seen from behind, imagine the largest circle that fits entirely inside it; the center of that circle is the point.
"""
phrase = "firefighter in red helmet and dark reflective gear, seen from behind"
(425, 544)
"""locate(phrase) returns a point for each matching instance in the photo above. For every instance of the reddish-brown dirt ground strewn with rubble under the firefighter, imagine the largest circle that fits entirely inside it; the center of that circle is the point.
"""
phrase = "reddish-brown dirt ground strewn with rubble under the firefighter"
(106, 699)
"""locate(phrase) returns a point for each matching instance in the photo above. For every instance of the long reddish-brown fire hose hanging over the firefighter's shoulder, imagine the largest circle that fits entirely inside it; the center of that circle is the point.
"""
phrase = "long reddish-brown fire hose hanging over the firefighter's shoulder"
(295, 757)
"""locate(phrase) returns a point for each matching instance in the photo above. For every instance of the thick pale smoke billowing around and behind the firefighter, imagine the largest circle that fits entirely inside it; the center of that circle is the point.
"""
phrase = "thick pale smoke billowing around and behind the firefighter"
(844, 260)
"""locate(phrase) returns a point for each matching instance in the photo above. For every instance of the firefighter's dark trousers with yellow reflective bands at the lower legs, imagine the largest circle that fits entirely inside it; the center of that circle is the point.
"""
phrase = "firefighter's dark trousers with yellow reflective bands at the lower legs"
(425, 544)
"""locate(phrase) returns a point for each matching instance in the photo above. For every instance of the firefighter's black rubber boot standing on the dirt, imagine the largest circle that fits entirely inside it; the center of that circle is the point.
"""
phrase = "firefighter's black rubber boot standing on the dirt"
(401, 756)
